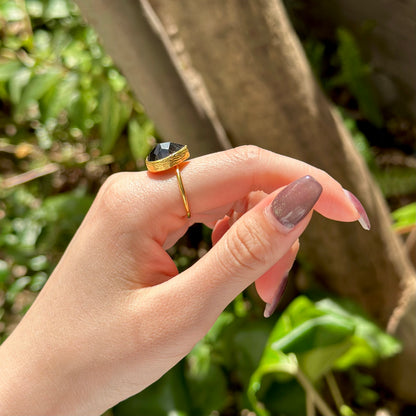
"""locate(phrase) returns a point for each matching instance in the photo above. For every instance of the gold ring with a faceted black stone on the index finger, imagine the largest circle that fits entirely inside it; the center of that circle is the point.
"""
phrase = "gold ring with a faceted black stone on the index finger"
(166, 156)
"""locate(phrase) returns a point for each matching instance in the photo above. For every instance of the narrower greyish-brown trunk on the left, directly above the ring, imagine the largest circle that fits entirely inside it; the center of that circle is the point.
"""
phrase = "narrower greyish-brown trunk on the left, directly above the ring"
(134, 38)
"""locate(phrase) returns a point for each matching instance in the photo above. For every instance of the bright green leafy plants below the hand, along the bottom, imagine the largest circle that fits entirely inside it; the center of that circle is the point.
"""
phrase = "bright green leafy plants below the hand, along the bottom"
(244, 358)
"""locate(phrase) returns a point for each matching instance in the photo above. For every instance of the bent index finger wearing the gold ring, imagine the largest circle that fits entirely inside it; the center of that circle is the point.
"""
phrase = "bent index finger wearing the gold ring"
(214, 182)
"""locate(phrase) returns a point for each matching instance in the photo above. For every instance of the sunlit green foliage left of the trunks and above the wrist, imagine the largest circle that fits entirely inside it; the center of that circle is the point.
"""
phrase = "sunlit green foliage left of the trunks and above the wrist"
(67, 121)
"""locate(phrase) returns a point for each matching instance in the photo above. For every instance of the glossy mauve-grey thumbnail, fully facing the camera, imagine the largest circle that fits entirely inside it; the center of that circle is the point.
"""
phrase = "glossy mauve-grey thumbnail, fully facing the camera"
(296, 201)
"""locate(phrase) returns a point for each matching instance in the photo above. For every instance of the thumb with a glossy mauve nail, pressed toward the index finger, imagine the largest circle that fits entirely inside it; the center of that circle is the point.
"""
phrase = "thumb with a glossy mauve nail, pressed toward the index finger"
(254, 243)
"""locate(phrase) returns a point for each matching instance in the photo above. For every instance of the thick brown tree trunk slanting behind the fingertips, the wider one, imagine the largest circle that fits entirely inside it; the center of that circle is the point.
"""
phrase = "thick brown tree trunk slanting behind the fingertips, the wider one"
(264, 92)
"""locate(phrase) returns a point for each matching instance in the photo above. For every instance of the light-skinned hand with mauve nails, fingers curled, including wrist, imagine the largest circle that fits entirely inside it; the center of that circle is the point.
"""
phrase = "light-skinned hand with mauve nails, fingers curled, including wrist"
(115, 314)
